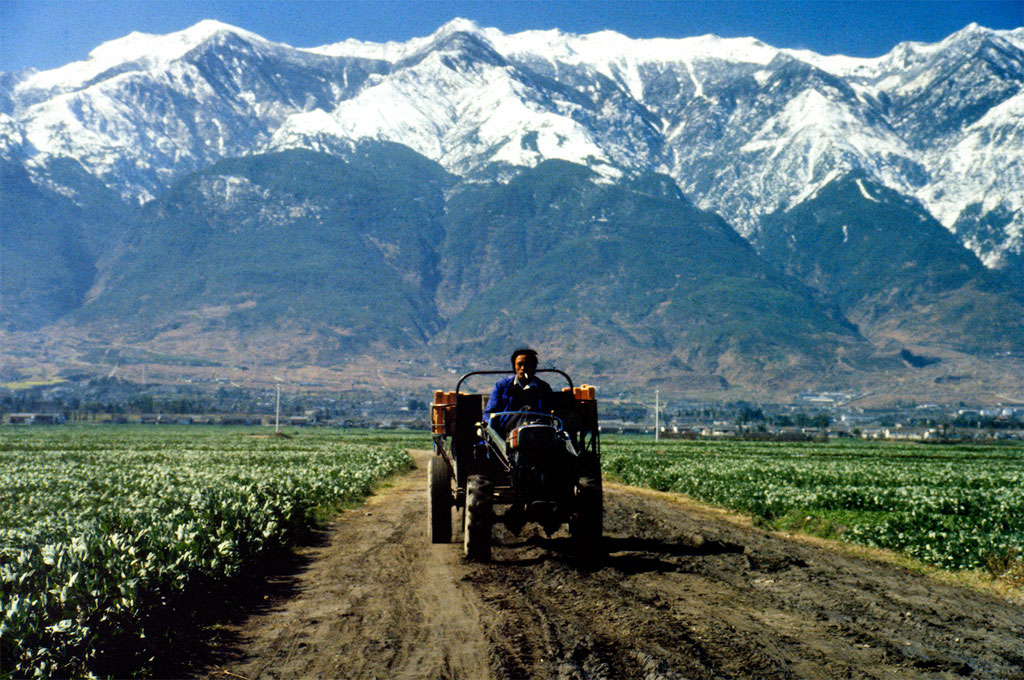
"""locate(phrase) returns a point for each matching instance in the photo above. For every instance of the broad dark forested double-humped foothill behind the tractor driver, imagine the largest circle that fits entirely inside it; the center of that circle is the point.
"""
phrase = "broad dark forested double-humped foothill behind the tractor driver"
(366, 254)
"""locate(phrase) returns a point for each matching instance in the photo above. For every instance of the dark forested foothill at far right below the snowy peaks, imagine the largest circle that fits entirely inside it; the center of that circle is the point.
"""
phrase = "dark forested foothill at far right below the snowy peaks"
(894, 271)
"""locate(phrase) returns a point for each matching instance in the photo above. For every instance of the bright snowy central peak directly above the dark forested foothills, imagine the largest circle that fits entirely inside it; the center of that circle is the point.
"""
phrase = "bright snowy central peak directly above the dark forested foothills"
(457, 101)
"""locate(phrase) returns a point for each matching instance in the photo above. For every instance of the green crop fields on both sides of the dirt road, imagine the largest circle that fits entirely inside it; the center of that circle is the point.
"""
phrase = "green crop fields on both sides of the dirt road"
(116, 539)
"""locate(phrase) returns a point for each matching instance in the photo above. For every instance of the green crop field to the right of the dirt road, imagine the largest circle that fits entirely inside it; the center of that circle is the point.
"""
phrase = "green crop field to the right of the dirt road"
(957, 506)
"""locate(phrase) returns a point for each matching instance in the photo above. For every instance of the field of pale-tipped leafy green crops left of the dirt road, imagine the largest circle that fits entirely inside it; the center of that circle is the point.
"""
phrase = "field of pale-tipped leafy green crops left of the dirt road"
(114, 538)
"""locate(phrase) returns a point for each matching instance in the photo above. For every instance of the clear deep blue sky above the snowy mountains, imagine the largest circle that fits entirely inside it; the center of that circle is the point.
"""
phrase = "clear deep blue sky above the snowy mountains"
(46, 34)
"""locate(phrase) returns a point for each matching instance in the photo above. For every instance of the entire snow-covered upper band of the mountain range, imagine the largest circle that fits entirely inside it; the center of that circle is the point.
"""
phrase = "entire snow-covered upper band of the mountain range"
(744, 129)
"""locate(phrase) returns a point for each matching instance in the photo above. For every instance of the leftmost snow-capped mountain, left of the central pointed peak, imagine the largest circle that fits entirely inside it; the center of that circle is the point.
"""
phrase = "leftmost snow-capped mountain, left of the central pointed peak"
(146, 110)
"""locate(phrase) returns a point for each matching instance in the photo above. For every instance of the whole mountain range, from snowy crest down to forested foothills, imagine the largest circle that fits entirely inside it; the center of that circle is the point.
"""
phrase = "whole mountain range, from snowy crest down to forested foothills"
(576, 143)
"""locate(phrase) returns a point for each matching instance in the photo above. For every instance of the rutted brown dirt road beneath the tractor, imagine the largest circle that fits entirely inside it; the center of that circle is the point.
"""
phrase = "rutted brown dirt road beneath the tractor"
(685, 593)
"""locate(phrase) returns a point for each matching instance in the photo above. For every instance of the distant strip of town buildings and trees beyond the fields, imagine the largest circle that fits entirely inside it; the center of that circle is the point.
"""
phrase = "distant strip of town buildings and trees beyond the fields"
(812, 416)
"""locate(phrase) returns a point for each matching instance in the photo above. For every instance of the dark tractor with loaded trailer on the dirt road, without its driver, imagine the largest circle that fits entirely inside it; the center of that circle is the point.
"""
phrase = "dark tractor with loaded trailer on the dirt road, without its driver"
(546, 470)
